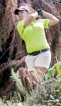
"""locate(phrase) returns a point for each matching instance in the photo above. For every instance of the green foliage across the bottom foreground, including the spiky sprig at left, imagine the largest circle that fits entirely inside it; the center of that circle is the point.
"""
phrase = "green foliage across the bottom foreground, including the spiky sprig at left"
(50, 96)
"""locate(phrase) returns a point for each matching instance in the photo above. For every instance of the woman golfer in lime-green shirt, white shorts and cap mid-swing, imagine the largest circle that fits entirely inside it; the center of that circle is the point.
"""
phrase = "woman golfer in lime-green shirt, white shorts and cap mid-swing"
(31, 30)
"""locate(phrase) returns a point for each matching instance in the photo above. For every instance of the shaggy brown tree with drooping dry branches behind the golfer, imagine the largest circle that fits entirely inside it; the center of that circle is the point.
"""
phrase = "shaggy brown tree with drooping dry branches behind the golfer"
(12, 47)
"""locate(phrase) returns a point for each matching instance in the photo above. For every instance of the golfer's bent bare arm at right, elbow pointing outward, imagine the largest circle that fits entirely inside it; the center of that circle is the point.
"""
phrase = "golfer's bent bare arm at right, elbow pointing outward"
(53, 19)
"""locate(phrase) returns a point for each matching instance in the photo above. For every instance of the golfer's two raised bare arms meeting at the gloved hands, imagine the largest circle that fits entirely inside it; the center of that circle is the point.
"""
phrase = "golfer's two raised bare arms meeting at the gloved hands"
(31, 17)
